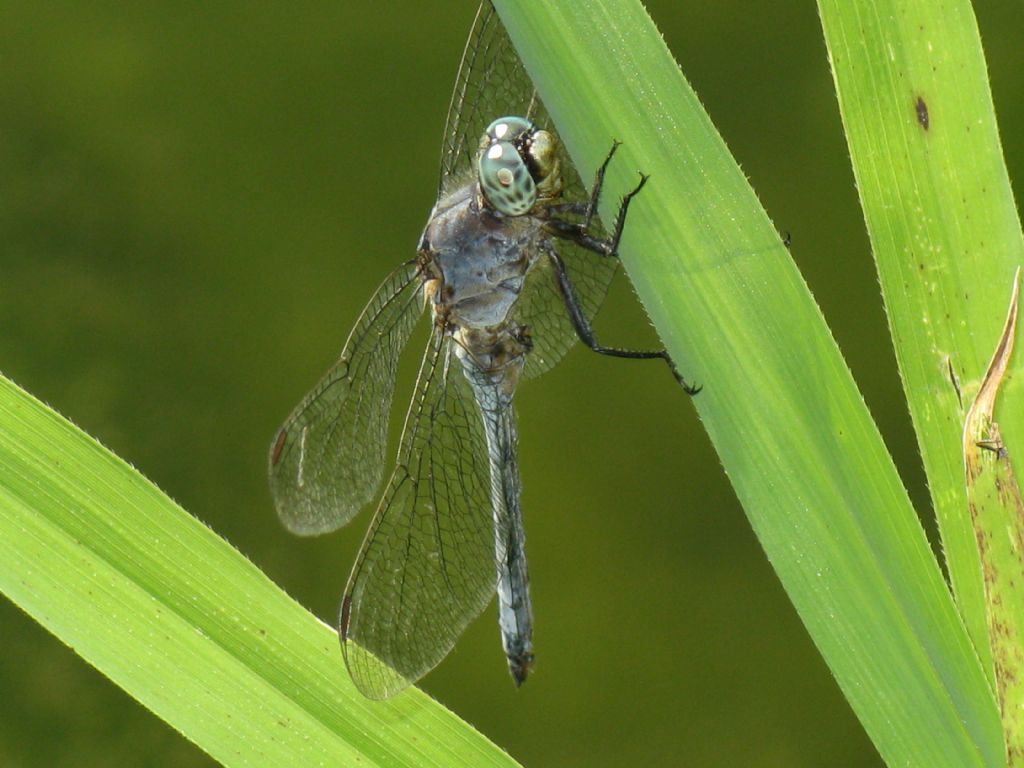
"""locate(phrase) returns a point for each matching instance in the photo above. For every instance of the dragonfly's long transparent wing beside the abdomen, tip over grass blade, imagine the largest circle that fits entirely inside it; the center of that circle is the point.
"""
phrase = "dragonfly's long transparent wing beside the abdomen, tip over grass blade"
(428, 566)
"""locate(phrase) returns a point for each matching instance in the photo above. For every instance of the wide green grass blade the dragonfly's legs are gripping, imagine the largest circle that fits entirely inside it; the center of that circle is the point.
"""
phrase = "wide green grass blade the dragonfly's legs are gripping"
(780, 404)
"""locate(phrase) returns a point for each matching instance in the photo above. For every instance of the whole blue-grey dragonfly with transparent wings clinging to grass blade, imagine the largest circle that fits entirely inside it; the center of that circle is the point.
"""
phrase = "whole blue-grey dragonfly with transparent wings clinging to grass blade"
(513, 267)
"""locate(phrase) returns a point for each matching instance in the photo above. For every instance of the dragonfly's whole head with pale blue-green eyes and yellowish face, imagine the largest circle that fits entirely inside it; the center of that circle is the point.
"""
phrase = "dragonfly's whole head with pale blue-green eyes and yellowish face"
(518, 165)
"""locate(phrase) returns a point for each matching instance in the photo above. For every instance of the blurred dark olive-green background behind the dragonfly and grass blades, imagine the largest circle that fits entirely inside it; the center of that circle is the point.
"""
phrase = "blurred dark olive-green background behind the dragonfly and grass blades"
(196, 200)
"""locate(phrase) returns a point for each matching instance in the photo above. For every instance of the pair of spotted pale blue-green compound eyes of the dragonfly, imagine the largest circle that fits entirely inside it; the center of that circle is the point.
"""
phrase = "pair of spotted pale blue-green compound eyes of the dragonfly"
(505, 178)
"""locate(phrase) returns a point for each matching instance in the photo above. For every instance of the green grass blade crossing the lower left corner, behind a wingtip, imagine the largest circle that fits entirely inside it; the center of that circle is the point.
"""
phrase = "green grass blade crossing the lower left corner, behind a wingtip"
(183, 622)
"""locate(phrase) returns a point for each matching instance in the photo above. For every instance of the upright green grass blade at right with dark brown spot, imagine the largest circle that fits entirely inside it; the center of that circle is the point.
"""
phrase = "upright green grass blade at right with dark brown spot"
(918, 111)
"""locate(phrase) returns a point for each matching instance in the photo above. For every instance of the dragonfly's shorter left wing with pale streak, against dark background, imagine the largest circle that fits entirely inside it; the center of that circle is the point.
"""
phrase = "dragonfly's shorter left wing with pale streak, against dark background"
(328, 460)
